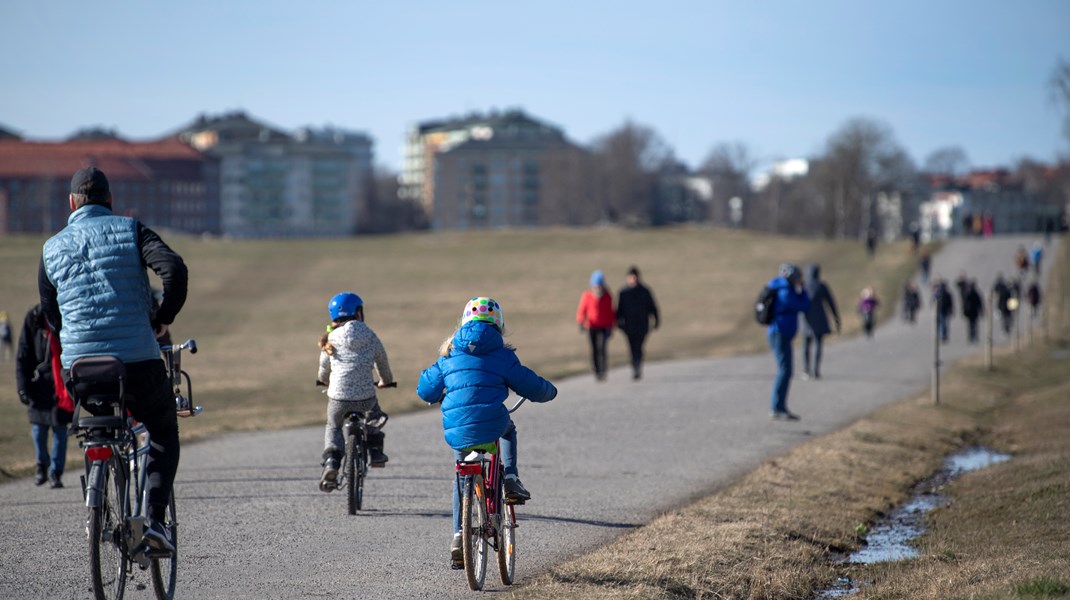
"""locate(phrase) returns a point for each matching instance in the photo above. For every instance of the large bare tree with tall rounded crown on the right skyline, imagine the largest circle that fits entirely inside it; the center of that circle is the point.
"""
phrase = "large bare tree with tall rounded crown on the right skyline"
(862, 159)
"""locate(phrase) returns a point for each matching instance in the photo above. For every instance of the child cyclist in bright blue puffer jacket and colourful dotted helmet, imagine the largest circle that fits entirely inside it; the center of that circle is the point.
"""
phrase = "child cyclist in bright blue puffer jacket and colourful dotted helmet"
(472, 379)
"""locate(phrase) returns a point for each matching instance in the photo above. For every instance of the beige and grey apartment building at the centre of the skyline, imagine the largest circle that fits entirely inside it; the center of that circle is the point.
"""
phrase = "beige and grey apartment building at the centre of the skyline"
(498, 171)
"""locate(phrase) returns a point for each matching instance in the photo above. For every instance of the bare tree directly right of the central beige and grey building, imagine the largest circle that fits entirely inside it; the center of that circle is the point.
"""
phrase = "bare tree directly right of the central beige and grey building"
(629, 161)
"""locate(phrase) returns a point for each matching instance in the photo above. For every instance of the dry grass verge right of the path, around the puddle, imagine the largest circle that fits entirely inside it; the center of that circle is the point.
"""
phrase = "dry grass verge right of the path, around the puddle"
(775, 534)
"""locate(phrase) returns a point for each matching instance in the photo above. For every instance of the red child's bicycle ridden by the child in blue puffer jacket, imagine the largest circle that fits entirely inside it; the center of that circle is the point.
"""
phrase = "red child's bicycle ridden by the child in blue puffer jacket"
(487, 518)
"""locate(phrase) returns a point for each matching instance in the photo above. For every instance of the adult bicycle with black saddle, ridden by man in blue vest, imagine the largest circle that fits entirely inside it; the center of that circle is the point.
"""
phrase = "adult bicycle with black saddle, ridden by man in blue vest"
(115, 485)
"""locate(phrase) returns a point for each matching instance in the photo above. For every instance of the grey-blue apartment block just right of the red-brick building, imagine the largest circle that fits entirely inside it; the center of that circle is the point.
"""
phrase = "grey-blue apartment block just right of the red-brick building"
(273, 184)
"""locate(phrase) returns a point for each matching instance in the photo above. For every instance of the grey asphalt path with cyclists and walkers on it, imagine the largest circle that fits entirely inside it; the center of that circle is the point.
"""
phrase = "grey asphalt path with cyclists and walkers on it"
(601, 460)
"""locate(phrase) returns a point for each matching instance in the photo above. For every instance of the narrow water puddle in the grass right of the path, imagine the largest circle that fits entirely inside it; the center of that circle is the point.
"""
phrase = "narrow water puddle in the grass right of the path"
(891, 539)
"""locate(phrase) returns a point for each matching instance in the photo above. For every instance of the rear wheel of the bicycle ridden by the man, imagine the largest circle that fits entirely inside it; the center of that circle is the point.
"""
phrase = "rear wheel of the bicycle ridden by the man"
(108, 541)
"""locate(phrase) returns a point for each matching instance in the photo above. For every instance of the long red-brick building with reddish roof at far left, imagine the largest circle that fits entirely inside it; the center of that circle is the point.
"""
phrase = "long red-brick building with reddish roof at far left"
(164, 183)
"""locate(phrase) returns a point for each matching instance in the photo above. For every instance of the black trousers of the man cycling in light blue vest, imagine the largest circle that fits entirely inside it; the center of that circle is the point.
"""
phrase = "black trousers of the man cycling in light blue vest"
(154, 405)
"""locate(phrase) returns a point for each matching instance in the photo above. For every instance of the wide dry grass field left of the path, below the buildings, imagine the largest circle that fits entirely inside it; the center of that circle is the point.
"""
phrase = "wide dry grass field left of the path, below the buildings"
(257, 309)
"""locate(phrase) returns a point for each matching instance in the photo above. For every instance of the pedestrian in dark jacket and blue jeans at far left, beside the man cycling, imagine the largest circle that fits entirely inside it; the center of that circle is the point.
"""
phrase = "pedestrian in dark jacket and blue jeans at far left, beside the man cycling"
(49, 406)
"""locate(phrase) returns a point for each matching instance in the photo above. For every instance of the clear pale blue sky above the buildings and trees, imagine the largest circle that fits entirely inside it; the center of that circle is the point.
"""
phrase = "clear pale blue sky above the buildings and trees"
(779, 75)
